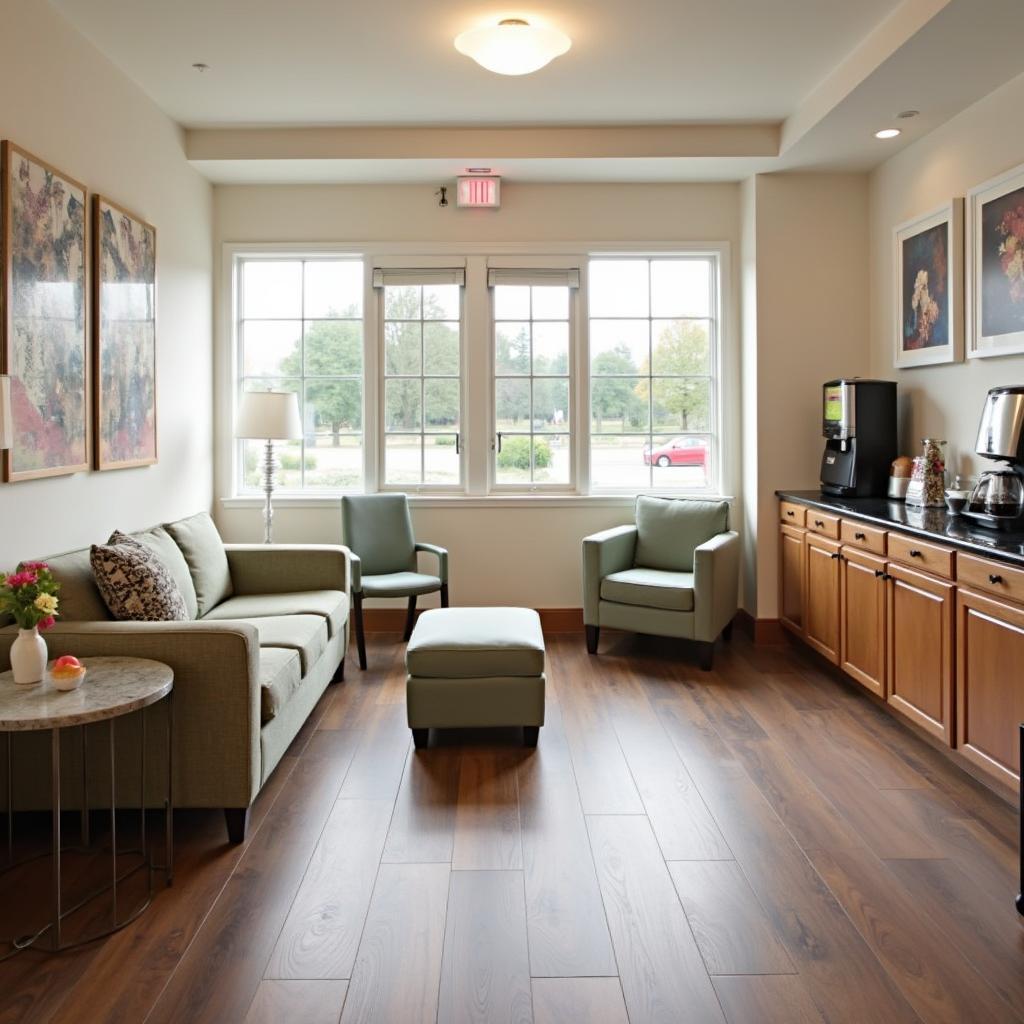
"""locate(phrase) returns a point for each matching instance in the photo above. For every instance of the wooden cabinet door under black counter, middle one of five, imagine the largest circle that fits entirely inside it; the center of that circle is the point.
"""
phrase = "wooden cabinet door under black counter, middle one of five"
(863, 636)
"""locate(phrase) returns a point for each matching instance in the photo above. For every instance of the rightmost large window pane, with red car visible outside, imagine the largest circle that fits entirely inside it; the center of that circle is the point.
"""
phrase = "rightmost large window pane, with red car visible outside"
(653, 361)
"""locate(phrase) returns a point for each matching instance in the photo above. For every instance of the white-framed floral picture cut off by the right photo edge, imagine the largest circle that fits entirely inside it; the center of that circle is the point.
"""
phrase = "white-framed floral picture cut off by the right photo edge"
(997, 215)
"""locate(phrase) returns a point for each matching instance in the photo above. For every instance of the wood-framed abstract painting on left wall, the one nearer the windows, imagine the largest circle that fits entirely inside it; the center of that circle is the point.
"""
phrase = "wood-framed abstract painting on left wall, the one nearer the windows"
(125, 311)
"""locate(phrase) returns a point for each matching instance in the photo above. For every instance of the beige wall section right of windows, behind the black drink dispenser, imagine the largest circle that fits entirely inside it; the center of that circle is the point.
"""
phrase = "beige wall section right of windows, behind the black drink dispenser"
(809, 234)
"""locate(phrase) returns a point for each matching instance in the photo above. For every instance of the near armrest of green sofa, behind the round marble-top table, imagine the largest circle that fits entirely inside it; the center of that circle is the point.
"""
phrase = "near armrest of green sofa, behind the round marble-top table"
(218, 760)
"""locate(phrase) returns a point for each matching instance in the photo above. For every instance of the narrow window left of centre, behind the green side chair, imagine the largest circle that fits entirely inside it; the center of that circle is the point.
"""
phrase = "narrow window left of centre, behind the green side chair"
(422, 370)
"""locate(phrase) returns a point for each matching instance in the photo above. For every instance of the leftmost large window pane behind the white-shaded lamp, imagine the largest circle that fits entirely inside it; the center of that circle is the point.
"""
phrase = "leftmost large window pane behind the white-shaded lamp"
(301, 329)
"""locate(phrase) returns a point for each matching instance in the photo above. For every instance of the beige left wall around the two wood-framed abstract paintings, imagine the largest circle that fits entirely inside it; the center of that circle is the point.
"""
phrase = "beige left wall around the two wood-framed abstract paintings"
(70, 106)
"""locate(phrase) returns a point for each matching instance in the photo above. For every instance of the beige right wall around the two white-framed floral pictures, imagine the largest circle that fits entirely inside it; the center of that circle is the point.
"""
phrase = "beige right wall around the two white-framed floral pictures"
(979, 144)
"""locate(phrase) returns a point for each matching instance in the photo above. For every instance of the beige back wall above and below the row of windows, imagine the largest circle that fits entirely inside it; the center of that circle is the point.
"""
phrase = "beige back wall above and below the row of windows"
(523, 556)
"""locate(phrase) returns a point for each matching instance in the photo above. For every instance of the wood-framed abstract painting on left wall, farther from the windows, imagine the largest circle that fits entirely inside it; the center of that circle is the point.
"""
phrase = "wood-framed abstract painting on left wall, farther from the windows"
(45, 326)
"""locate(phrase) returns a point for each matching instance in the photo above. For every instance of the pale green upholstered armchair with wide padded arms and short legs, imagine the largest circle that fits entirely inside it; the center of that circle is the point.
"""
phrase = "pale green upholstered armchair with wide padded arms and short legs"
(675, 574)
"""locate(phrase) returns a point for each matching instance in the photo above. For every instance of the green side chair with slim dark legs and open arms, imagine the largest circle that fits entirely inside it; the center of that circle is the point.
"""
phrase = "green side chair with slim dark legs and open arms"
(378, 530)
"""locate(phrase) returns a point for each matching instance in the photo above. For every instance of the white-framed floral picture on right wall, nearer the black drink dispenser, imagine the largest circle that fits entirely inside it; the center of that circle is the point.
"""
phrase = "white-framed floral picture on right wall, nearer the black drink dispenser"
(930, 288)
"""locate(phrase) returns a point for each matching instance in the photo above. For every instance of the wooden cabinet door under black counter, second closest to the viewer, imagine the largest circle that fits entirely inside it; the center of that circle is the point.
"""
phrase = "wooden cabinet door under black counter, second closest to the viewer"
(921, 650)
